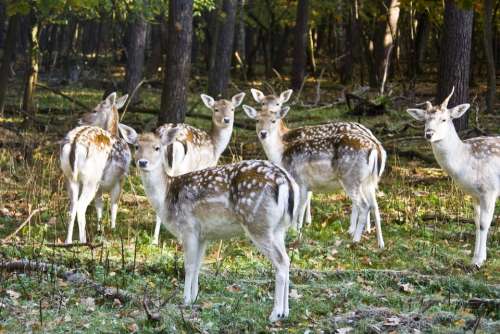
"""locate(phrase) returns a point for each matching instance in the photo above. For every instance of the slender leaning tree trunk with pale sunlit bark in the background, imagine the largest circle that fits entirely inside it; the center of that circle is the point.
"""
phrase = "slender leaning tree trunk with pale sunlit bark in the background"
(384, 42)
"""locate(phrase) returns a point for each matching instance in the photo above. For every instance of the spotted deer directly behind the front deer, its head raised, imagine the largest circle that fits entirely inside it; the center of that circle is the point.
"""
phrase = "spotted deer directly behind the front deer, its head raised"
(195, 149)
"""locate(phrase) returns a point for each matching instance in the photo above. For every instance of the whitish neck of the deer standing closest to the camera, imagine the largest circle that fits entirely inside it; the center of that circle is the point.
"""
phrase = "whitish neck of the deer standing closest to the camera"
(156, 184)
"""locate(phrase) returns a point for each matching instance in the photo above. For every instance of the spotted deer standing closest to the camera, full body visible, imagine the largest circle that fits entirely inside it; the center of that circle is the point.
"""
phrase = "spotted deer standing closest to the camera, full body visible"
(255, 197)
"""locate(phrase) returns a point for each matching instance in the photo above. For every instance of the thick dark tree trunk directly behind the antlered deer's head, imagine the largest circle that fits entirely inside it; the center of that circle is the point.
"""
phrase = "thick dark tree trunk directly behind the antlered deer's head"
(454, 58)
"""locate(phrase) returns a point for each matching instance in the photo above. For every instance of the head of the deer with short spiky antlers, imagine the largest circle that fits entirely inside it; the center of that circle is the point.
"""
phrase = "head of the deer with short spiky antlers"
(438, 118)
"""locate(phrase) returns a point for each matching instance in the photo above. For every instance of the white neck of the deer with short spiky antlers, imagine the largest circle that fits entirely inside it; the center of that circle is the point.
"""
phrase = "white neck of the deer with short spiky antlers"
(450, 152)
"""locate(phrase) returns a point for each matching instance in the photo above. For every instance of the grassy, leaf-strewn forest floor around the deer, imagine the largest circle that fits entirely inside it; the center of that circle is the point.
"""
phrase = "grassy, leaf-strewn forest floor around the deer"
(421, 282)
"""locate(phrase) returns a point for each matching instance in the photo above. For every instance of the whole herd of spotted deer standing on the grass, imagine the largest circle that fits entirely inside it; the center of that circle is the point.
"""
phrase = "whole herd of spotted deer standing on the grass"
(198, 201)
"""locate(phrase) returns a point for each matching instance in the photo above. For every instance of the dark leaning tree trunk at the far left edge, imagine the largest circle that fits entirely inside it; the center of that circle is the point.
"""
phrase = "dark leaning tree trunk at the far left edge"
(8, 56)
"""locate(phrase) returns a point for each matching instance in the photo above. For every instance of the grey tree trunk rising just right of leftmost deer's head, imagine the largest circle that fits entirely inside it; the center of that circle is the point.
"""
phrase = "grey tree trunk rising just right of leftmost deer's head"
(135, 54)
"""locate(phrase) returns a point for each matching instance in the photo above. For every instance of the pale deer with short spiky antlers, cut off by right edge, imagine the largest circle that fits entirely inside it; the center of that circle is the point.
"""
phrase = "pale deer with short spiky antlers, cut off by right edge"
(474, 164)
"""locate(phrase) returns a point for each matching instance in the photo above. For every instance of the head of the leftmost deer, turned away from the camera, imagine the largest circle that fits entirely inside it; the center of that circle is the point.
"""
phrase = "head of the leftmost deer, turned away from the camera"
(105, 114)
